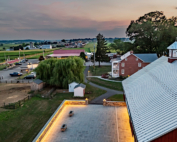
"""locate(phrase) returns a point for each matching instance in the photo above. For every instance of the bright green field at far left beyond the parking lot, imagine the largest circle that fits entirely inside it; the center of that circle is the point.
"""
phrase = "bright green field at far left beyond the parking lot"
(15, 54)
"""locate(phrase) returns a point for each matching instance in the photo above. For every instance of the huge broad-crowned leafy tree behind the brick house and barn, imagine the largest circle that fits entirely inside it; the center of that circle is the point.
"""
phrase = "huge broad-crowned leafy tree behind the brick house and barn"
(152, 32)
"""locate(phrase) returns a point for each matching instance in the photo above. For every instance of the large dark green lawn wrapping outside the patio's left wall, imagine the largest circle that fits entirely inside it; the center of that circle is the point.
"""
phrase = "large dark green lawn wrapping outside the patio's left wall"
(24, 123)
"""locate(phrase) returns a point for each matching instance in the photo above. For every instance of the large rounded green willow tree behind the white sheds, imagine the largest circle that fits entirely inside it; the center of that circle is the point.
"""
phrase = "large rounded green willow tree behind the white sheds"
(61, 72)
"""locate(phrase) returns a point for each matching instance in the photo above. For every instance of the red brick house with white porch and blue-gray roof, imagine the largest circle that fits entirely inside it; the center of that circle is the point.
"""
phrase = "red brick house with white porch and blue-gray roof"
(130, 63)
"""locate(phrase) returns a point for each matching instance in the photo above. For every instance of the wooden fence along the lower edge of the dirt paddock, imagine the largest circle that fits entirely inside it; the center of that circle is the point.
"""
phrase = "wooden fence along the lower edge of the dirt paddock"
(17, 104)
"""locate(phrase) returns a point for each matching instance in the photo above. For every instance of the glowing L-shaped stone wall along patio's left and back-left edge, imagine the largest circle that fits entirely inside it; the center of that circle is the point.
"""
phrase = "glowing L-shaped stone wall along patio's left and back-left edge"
(52, 119)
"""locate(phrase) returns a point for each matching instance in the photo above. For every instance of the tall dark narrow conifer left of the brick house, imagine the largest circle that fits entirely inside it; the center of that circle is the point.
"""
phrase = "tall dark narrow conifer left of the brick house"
(101, 48)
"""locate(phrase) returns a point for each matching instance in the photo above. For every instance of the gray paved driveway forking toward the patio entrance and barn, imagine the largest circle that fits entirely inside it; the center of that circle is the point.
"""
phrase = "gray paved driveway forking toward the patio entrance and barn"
(109, 93)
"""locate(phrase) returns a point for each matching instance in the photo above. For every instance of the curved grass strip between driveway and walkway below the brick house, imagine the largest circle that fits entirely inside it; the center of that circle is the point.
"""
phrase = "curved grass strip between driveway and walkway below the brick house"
(107, 84)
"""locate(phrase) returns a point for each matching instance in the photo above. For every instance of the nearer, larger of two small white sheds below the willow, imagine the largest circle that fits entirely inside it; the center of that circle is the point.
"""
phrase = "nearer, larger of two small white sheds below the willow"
(79, 90)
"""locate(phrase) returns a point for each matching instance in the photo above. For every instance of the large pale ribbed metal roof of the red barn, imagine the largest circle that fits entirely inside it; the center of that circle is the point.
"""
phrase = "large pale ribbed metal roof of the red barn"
(151, 95)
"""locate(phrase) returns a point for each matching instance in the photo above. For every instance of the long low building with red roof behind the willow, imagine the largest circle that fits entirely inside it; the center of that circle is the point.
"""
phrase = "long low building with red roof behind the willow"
(65, 53)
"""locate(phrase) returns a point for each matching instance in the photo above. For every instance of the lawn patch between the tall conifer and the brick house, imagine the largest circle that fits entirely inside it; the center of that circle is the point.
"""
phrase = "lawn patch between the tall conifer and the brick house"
(99, 70)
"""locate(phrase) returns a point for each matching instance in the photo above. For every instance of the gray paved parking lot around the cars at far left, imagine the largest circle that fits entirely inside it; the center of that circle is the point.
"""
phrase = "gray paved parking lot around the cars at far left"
(5, 73)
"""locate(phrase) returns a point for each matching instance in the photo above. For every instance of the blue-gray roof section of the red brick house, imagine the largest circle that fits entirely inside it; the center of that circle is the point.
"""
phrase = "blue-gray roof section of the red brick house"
(148, 58)
